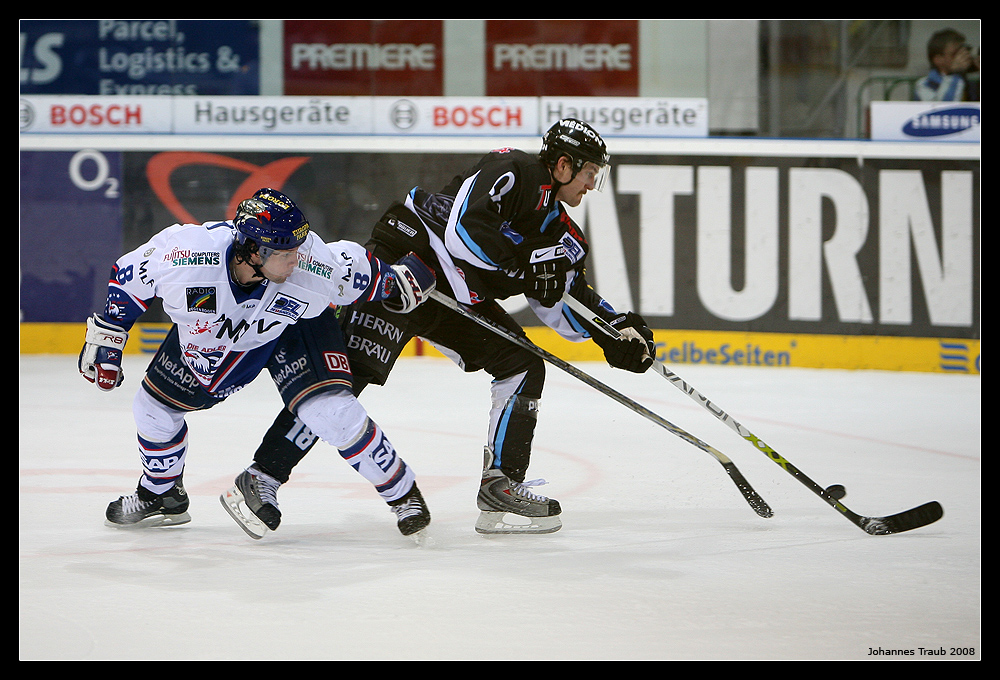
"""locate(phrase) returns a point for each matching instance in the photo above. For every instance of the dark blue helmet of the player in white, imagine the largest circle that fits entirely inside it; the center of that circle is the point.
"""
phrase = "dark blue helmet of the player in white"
(271, 220)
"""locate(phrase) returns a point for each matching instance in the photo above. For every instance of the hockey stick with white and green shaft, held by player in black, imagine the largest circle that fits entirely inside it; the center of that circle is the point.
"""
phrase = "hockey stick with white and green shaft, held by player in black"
(913, 518)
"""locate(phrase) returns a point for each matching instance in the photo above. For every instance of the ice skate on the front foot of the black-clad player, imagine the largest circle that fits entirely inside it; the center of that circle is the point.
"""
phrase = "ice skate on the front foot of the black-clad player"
(509, 507)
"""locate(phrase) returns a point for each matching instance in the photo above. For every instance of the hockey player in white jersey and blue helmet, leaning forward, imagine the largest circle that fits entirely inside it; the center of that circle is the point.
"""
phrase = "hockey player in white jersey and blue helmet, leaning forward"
(258, 292)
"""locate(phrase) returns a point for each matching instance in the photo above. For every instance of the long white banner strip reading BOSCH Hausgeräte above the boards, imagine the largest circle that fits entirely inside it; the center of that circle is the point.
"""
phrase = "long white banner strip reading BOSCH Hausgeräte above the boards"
(419, 115)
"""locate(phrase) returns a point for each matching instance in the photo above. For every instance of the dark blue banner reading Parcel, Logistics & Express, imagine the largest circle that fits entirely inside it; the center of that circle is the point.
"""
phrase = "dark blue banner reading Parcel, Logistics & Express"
(139, 57)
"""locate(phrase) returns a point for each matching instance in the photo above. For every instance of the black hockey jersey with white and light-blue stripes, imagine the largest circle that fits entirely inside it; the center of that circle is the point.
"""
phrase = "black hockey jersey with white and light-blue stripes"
(479, 232)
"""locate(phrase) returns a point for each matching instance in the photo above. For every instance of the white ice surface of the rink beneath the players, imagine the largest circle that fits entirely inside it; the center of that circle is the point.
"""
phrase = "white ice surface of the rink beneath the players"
(659, 557)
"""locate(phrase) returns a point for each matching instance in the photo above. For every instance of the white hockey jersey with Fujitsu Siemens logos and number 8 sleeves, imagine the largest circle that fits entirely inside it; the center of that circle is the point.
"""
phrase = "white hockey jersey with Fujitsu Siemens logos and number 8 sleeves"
(187, 267)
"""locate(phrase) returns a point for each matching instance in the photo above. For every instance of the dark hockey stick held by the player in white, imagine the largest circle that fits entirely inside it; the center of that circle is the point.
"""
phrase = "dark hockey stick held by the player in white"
(752, 497)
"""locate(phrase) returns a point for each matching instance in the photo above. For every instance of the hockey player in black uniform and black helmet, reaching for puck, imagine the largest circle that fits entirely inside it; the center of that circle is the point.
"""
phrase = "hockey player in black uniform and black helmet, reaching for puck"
(497, 230)
